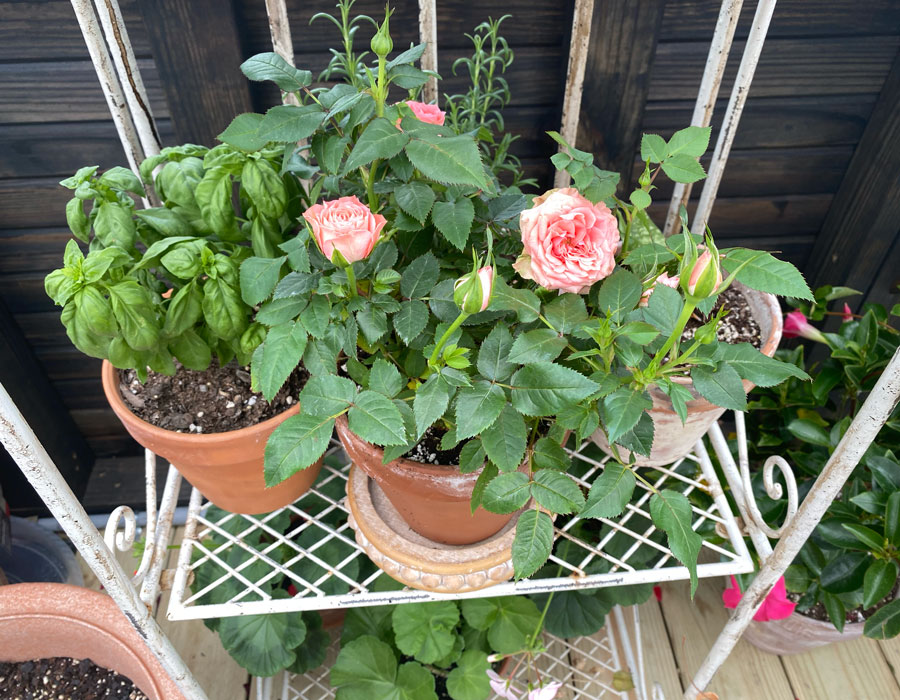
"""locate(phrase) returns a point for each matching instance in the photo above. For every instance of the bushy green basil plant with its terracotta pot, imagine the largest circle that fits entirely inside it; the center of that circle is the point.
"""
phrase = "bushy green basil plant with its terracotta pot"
(157, 296)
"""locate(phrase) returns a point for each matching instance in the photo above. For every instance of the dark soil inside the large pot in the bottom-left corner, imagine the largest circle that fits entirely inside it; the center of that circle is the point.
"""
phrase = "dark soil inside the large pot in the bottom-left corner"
(63, 678)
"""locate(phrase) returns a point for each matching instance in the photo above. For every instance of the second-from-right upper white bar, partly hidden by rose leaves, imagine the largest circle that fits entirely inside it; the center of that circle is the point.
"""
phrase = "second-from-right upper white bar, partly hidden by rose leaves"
(716, 60)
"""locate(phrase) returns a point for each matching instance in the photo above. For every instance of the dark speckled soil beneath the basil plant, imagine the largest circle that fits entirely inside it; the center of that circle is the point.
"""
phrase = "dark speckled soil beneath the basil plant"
(215, 400)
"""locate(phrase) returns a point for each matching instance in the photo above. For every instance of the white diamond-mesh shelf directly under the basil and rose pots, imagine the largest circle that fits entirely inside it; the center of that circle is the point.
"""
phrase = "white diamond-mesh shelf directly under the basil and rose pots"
(305, 556)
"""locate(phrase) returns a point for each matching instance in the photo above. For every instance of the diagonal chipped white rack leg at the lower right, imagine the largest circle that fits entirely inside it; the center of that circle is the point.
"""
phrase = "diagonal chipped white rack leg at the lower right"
(865, 427)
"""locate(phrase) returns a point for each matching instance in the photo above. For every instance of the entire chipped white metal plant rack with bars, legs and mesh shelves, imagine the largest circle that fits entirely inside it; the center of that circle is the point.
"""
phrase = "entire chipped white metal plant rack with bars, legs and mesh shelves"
(628, 550)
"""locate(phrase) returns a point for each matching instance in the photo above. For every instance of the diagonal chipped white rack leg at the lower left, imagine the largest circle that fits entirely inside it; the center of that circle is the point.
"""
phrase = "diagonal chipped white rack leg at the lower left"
(25, 448)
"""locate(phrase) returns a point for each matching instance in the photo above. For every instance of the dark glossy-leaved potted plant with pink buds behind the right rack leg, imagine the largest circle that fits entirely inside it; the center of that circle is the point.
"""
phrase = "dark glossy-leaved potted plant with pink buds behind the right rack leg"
(844, 582)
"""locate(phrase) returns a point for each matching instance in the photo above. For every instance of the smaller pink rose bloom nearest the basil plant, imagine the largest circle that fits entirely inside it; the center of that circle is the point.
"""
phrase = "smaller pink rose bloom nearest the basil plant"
(346, 225)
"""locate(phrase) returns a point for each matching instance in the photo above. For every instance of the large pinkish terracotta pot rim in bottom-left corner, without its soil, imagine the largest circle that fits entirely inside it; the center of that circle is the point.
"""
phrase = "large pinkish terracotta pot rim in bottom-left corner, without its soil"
(45, 620)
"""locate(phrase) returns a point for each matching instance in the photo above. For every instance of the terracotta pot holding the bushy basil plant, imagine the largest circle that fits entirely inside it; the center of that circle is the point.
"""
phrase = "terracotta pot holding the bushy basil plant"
(227, 467)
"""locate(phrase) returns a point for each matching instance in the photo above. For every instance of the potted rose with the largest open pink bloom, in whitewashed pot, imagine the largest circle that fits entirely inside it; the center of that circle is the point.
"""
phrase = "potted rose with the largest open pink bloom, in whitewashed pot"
(677, 330)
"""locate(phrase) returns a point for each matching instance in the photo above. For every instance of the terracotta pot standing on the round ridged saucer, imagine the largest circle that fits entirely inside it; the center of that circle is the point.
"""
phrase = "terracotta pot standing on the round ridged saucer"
(433, 499)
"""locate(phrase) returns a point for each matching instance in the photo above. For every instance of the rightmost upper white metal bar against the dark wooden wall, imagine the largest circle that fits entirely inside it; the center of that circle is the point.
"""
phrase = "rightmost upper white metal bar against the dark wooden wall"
(749, 60)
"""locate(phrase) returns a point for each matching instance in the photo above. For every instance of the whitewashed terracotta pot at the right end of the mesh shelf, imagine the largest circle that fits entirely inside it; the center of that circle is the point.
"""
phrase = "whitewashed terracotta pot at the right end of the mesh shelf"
(672, 440)
